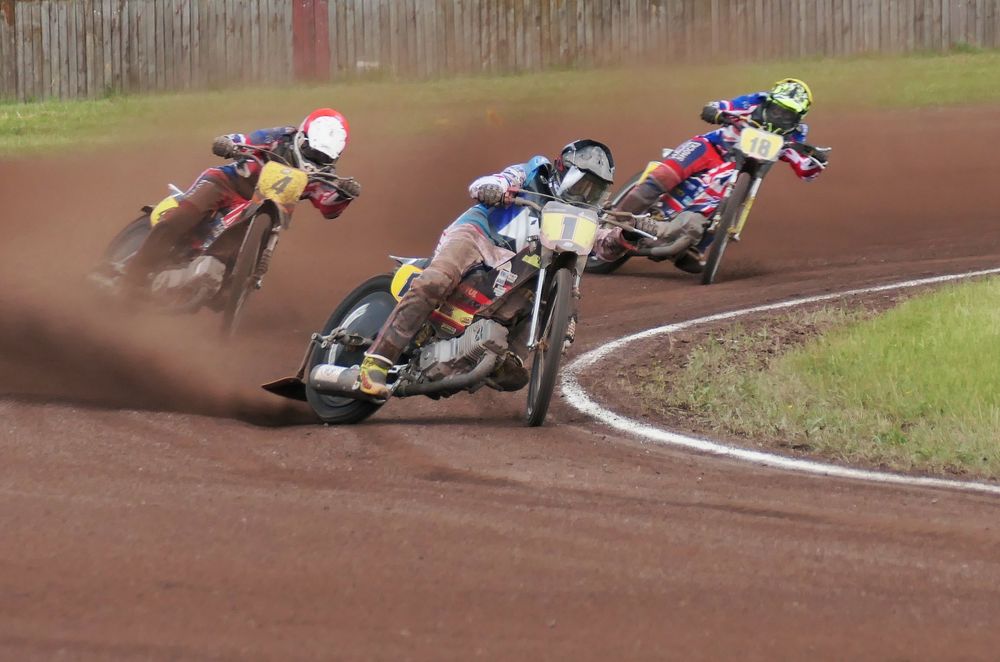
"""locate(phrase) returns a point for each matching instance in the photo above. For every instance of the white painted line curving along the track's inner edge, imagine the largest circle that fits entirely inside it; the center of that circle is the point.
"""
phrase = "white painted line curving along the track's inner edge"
(578, 398)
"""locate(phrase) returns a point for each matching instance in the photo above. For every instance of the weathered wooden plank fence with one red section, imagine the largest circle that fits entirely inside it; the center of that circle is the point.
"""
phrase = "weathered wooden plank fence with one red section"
(77, 48)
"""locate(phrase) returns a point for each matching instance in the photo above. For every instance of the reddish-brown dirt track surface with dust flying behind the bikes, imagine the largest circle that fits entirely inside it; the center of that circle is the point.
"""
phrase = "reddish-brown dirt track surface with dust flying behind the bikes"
(136, 528)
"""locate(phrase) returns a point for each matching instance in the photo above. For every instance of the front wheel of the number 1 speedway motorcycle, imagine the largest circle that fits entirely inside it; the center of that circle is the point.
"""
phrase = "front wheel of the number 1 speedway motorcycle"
(556, 312)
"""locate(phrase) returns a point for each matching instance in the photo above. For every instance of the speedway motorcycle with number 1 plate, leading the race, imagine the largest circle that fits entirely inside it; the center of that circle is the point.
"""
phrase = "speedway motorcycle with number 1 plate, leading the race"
(472, 339)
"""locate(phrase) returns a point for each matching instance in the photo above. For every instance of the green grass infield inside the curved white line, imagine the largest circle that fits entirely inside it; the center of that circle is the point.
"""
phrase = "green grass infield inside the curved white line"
(914, 389)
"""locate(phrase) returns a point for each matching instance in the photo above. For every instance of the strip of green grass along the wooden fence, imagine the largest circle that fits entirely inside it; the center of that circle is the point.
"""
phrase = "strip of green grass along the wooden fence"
(861, 82)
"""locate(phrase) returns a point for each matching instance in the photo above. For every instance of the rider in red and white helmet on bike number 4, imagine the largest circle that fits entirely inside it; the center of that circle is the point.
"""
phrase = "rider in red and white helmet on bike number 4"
(313, 147)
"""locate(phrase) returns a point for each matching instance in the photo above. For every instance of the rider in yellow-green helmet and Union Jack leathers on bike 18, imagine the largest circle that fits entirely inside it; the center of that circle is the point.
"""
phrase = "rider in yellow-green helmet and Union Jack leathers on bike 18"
(691, 181)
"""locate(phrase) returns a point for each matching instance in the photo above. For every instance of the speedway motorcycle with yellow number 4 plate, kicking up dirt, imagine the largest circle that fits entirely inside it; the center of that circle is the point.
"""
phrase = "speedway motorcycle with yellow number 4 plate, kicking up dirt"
(243, 239)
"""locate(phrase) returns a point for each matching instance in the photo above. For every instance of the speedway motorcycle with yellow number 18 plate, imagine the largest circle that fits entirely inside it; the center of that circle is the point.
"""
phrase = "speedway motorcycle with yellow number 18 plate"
(753, 155)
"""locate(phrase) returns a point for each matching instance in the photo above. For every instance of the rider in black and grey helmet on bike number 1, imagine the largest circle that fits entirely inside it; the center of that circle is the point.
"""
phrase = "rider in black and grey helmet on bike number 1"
(582, 173)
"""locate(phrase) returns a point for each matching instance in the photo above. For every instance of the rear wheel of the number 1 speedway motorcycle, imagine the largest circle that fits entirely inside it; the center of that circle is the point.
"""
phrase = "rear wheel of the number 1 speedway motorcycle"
(363, 311)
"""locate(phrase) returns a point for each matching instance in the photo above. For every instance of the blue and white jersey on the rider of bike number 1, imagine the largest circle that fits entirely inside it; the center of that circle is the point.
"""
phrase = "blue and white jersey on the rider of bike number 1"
(537, 175)
